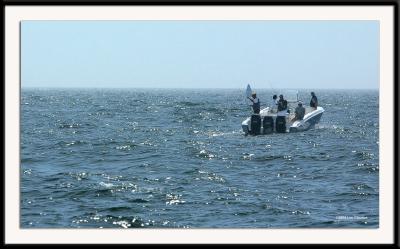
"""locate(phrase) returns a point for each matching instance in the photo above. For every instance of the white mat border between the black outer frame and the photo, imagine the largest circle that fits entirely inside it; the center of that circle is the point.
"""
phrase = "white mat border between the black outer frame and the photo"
(382, 235)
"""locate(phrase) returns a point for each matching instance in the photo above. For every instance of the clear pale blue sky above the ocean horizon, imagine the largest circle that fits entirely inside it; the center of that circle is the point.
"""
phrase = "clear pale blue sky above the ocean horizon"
(200, 54)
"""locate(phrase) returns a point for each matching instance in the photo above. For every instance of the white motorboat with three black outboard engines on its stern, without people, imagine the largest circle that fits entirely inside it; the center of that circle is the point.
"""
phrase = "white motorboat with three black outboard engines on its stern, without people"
(270, 121)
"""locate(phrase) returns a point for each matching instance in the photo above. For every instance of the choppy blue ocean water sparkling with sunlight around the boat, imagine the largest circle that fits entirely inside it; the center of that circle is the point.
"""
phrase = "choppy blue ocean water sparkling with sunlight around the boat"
(176, 158)
